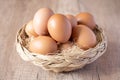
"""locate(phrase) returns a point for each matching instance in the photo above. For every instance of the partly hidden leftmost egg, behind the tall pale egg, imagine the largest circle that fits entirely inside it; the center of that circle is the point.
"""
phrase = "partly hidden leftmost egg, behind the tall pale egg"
(29, 29)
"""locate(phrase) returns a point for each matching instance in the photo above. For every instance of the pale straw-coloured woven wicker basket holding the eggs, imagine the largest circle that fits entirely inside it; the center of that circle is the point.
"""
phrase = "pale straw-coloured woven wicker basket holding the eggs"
(67, 60)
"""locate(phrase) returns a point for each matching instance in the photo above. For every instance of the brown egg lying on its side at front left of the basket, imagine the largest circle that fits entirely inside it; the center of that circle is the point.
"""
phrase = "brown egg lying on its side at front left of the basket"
(43, 45)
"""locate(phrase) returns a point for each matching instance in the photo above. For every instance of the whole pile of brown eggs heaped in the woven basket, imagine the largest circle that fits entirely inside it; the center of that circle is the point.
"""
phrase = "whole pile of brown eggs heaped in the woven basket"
(51, 29)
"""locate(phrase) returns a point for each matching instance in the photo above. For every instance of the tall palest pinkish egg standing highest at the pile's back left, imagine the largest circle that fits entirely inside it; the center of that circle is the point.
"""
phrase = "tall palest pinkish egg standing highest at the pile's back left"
(40, 20)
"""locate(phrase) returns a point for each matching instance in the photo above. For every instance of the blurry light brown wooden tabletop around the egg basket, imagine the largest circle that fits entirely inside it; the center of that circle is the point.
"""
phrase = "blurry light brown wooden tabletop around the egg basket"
(15, 13)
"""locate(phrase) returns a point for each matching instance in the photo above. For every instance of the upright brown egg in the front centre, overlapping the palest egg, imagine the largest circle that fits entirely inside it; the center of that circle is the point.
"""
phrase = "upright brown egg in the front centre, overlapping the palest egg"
(59, 28)
